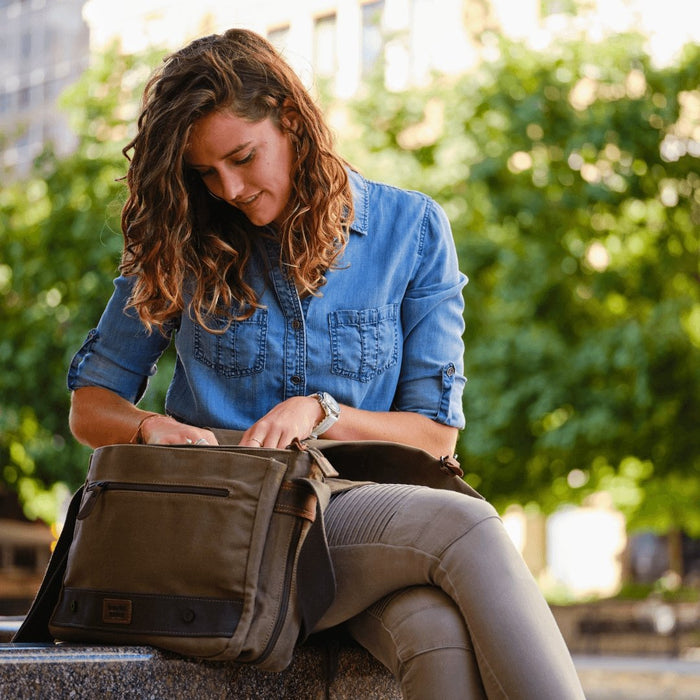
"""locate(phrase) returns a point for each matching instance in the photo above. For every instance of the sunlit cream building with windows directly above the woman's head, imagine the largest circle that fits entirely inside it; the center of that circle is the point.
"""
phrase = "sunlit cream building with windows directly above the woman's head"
(337, 41)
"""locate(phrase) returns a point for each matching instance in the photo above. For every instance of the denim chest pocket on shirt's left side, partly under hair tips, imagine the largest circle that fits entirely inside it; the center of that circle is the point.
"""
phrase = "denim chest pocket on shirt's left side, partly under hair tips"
(239, 351)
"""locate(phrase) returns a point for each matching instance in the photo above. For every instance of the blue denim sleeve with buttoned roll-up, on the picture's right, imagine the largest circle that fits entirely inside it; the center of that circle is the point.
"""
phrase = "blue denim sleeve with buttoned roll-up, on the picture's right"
(432, 375)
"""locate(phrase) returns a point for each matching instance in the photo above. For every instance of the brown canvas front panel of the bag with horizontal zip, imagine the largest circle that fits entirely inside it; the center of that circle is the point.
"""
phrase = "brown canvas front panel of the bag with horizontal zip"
(171, 537)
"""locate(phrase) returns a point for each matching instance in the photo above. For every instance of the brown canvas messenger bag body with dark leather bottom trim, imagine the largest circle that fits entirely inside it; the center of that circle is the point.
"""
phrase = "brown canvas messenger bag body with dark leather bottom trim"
(198, 550)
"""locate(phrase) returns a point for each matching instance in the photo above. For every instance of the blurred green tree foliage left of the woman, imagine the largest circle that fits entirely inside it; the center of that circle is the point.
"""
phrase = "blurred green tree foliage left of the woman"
(59, 250)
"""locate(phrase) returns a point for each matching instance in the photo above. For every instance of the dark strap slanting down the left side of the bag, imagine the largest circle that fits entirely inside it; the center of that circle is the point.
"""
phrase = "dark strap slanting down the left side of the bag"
(35, 627)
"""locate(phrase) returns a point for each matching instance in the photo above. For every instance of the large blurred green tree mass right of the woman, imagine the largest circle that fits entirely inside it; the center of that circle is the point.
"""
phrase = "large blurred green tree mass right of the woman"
(570, 178)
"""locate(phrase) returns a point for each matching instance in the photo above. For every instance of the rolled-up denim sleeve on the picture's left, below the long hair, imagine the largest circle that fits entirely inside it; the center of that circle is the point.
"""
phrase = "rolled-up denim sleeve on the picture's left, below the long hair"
(120, 354)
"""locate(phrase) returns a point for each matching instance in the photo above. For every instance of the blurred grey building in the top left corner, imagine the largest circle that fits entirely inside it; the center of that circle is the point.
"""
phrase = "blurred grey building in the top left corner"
(44, 47)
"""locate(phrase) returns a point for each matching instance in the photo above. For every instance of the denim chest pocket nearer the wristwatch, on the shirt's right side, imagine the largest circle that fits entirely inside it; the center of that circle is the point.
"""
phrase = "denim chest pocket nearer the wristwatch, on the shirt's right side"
(364, 342)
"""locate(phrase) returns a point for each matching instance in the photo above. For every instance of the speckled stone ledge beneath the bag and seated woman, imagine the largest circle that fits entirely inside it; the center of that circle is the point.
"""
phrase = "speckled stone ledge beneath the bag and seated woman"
(48, 672)
